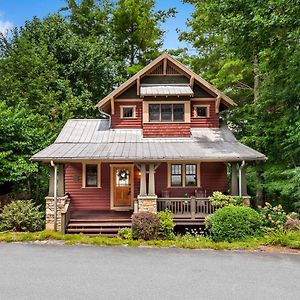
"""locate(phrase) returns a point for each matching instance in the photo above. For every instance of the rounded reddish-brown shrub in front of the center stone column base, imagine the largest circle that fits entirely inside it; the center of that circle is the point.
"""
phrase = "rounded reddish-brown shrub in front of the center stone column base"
(145, 225)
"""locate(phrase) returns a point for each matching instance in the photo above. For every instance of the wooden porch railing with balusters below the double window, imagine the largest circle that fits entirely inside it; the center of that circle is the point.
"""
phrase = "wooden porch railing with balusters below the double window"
(190, 208)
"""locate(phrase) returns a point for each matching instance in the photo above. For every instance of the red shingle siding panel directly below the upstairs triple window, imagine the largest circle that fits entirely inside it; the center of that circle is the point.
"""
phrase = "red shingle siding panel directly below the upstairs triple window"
(166, 130)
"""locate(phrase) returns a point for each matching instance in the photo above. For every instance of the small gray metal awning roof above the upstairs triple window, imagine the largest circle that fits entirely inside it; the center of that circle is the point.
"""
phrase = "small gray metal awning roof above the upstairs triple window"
(166, 90)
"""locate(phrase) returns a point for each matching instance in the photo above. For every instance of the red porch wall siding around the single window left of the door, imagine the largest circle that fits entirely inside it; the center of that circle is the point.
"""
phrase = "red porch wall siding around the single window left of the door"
(87, 198)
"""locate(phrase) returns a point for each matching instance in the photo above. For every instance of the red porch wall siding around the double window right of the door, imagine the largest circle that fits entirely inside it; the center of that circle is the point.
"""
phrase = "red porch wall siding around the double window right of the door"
(213, 177)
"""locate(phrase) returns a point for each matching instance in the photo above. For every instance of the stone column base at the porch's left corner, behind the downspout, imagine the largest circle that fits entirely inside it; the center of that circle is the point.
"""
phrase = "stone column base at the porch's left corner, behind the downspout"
(61, 202)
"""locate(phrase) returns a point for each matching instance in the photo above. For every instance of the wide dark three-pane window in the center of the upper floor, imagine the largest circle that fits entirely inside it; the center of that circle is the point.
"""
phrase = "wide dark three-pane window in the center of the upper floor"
(166, 112)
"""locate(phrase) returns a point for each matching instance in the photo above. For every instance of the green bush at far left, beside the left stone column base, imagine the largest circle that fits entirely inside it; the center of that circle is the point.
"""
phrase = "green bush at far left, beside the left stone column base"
(21, 215)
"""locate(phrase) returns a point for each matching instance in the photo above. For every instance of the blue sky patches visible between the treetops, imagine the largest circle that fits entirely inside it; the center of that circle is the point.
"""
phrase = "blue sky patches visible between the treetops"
(15, 12)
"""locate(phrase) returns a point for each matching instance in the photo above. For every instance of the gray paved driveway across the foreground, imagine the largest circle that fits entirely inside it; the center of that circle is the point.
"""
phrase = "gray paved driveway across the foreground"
(30, 271)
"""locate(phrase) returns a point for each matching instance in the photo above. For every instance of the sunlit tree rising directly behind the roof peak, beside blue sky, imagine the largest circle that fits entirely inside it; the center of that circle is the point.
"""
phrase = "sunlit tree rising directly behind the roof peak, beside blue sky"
(136, 30)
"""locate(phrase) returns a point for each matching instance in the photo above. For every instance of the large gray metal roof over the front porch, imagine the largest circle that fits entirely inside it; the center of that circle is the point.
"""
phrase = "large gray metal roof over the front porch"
(93, 140)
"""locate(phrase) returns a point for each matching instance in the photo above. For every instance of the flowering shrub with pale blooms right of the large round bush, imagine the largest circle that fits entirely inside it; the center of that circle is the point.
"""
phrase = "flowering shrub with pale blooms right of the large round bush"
(274, 217)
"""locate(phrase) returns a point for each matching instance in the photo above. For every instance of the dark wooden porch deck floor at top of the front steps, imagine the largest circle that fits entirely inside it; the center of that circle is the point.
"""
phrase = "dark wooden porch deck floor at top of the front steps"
(99, 215)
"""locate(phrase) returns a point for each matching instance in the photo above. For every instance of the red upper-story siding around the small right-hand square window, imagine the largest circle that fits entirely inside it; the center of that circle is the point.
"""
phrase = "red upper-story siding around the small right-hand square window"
(212, 121)
